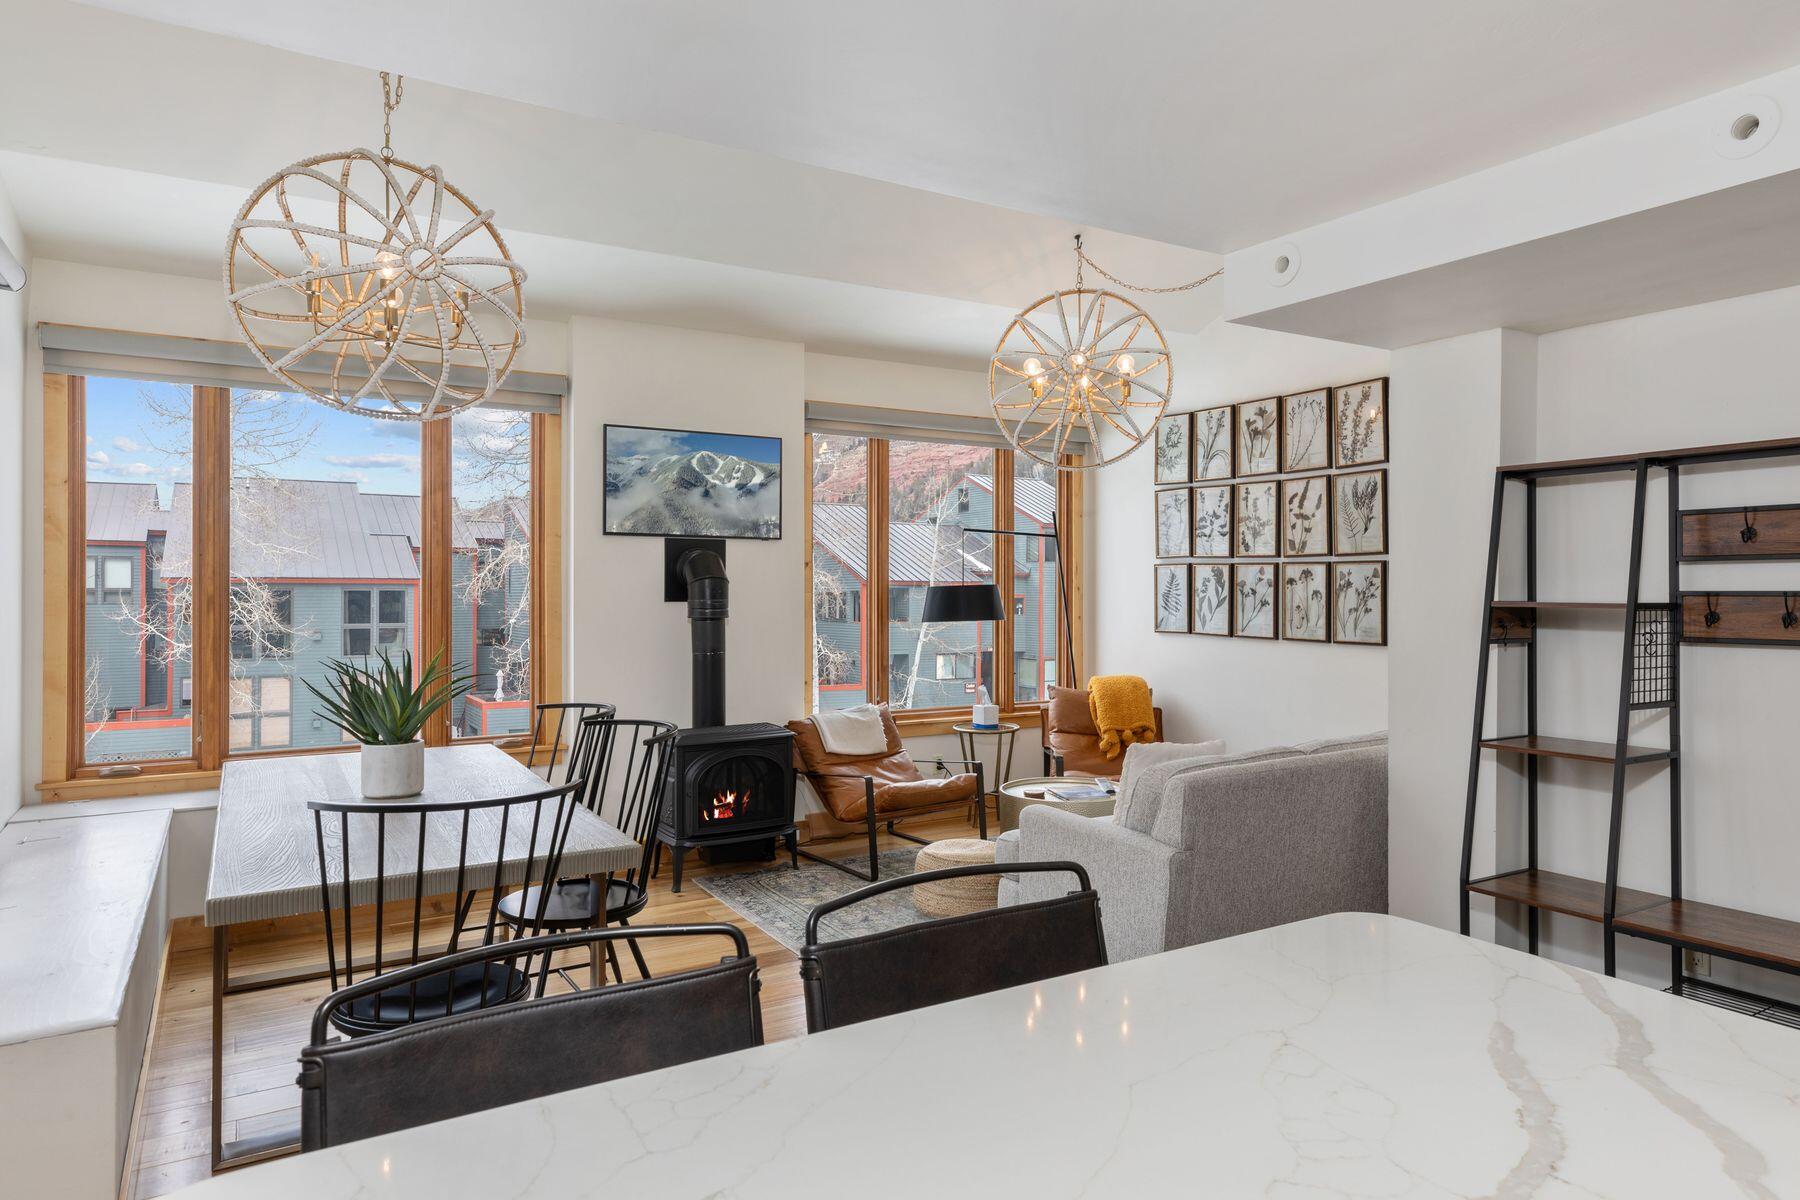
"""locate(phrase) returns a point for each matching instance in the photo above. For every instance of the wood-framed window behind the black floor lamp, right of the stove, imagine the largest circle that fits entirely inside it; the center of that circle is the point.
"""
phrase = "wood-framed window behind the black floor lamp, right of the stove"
(931, 497)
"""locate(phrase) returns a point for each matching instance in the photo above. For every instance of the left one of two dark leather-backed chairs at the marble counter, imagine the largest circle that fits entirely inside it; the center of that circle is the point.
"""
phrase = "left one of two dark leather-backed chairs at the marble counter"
(469, 1062)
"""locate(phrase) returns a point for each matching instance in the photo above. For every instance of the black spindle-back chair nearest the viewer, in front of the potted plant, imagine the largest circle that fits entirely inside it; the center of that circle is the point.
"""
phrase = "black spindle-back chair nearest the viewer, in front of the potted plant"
(399, 852)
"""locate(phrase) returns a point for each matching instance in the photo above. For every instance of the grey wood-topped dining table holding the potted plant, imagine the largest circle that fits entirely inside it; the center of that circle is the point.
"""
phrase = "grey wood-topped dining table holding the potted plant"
(265, 866)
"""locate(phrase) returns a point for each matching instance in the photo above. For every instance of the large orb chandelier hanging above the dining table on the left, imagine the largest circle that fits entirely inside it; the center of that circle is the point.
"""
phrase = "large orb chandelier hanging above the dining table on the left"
(373, 285)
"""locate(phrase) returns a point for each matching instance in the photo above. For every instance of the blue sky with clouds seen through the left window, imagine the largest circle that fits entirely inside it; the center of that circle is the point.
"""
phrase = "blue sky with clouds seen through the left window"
(130, 443)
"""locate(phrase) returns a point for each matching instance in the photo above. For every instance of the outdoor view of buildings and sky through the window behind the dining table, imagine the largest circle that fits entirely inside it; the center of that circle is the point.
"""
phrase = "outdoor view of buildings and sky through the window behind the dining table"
(325, 566)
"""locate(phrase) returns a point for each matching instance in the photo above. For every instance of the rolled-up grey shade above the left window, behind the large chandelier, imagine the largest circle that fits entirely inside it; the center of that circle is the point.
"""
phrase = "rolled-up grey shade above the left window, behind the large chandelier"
(201, 363)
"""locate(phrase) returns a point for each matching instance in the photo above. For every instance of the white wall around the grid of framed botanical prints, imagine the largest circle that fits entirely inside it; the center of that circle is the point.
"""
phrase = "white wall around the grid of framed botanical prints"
(1252, 694)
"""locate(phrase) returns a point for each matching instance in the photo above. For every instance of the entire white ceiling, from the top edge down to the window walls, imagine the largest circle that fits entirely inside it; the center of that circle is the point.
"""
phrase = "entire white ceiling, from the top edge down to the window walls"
(881, 181)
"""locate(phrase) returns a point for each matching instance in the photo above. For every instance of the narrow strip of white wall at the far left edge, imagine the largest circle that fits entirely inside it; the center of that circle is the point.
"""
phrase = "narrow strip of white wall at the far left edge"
(13, 539)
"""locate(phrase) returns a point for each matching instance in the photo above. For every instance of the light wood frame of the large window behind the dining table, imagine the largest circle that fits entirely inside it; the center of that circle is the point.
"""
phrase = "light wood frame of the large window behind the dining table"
(67, 776)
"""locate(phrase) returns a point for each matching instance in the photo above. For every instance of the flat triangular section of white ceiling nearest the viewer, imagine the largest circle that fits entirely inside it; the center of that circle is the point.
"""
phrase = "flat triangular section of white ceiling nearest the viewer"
(1201, 123)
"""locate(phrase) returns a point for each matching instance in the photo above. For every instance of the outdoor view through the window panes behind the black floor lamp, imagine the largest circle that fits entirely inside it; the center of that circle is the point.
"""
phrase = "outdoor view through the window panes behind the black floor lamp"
(935, 494)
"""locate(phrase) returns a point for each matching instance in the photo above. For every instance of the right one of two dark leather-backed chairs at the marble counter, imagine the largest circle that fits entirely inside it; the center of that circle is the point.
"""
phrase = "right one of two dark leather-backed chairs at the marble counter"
(953, 958)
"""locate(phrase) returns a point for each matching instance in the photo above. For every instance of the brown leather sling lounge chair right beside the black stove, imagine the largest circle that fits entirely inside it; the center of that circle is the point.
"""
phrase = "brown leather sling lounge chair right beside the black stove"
(881, 789)
